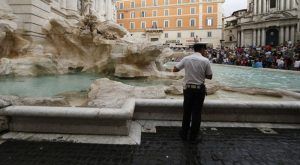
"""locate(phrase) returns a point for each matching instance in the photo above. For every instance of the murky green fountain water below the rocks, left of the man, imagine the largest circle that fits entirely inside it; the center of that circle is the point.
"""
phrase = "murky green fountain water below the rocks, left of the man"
(48, 86)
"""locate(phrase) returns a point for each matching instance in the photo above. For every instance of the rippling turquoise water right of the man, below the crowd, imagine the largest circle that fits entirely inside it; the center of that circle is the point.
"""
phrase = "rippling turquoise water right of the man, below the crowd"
(256, 78)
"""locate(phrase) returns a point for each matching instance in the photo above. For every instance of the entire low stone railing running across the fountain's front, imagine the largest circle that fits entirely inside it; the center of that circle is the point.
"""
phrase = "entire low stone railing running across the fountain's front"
(108, 121)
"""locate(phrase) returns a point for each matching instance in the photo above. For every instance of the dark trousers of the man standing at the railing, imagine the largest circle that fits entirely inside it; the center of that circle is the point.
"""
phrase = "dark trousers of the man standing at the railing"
(192, 105)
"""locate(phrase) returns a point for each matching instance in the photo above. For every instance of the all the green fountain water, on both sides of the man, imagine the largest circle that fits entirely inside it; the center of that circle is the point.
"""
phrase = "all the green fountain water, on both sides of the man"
(47, 86)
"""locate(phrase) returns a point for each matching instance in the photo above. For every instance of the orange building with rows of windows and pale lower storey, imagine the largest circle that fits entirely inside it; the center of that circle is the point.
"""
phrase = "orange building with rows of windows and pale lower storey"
(173, 22)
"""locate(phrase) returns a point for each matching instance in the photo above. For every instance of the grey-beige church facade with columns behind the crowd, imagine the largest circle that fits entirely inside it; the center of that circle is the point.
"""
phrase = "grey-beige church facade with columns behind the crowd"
(269, 22)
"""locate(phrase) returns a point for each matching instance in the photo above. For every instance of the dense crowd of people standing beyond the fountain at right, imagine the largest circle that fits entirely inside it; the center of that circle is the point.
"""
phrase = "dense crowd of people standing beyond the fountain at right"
(285, 56)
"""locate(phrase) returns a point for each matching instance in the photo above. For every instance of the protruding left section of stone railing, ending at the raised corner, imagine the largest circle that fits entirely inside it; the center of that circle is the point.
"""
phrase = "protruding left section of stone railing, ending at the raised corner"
(72, 120)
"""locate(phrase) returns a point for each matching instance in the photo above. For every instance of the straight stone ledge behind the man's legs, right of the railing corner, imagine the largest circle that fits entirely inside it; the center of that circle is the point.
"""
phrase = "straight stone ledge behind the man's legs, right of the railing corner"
(222, 111)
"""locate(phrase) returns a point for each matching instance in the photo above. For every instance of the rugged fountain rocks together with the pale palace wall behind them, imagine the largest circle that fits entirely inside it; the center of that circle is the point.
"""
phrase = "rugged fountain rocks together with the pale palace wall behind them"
(81, 39)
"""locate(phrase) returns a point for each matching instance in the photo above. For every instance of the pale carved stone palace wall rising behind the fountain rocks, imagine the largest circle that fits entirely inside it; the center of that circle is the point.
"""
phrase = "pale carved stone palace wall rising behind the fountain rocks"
(32, 15)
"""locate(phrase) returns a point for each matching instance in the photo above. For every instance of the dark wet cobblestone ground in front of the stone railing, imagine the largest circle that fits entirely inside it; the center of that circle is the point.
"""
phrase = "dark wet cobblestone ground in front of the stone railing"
(237, 146)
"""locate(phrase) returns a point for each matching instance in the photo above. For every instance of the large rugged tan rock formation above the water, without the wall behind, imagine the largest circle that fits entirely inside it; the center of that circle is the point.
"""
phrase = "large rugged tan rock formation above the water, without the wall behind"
(87, 46)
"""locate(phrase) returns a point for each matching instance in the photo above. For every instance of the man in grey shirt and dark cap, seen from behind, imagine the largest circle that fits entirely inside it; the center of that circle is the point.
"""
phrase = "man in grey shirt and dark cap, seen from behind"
(197, 68)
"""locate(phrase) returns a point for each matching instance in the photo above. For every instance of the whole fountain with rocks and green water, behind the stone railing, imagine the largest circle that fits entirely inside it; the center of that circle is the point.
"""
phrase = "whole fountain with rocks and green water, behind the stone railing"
(96, 63)
